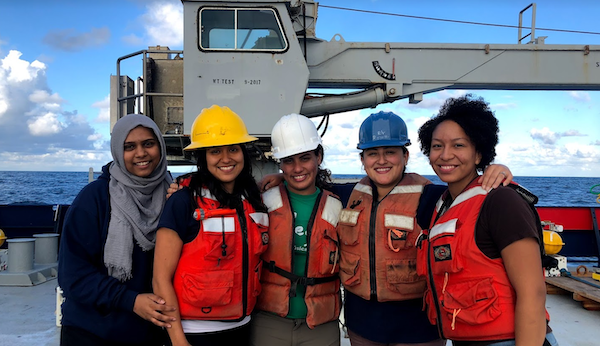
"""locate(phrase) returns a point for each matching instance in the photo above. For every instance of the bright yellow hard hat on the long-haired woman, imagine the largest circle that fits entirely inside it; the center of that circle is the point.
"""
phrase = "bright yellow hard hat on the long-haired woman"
(217, 126)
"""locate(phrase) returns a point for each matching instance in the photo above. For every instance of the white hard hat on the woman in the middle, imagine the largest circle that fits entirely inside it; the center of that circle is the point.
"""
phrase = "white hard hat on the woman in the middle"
(294, 134)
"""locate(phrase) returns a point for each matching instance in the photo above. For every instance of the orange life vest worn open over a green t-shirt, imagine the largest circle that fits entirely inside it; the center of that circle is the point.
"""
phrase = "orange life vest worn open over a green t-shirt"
(322, 294)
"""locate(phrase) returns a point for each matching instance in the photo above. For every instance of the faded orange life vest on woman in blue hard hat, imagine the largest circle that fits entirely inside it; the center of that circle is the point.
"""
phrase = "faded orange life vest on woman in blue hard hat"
(377, 243)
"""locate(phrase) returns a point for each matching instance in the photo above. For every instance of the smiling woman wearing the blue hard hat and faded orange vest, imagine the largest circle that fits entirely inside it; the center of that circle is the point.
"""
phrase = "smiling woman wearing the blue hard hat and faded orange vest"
(378, 228)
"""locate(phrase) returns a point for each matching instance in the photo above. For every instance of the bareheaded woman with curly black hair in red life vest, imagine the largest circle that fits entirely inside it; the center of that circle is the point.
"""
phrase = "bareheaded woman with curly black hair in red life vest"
(482, 253)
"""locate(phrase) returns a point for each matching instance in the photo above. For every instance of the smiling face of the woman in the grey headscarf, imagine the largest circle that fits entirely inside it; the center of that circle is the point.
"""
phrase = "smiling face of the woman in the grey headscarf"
(141, 152)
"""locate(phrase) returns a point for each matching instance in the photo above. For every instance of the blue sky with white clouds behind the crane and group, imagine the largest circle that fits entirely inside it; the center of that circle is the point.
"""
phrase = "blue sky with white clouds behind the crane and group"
(56, 58)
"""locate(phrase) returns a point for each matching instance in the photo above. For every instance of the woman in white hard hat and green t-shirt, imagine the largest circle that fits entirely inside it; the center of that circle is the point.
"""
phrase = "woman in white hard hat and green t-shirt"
(300, 299)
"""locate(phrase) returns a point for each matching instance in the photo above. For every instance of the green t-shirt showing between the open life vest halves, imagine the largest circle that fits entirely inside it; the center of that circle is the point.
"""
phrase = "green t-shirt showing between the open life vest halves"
(302, 207)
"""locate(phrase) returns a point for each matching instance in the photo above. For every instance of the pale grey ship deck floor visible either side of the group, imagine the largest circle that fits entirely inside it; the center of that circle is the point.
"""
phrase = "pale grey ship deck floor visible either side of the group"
(29, 318)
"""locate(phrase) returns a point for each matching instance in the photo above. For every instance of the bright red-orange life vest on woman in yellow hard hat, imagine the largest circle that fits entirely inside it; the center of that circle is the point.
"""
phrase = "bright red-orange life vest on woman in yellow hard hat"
(218, 274)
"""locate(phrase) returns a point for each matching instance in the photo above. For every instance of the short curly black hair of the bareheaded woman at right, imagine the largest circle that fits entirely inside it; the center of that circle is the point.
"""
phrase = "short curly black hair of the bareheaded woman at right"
(474, 115)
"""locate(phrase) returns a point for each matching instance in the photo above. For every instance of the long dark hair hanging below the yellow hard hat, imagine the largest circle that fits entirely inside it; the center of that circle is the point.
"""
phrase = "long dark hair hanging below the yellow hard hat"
(245, 185)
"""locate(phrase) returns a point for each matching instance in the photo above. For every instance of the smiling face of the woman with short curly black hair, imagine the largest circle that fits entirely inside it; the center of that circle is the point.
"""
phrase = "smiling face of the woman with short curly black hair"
(453, 156)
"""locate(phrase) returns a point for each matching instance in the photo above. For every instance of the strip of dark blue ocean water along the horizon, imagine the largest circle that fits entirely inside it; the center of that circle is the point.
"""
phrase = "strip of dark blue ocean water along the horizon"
(62, 187)
